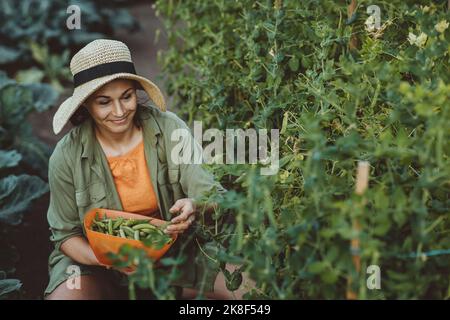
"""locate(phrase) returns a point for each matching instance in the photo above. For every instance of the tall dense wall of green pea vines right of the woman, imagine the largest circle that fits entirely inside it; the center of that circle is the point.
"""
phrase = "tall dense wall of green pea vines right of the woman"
(287, 65)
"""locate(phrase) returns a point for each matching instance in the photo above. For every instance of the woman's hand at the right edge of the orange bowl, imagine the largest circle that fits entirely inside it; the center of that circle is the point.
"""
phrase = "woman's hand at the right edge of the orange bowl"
(186, 209)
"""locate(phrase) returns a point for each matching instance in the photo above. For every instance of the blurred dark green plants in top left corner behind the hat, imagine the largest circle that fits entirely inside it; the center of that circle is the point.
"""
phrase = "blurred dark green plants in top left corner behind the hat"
(37, 44)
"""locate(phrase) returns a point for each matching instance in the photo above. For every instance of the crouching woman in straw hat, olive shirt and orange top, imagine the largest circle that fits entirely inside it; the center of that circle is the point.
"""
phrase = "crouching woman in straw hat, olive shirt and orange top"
(118, 156)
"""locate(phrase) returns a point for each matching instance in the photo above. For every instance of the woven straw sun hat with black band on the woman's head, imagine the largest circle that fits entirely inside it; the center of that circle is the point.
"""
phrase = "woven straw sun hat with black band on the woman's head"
(98, 63)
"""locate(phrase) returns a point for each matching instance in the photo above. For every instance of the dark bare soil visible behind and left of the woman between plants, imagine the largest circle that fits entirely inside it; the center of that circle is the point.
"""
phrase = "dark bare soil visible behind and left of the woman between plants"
(32, 237)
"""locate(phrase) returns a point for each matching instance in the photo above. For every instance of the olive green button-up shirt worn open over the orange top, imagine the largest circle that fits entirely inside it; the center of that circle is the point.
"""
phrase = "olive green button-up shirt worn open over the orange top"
(80, 179)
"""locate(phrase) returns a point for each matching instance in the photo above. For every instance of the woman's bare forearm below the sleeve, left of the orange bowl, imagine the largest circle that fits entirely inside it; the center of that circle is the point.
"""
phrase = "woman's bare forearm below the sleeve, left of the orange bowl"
(80, 251)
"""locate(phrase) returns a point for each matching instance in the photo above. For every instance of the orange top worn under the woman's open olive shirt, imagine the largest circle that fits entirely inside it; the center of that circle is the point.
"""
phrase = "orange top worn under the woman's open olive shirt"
(133, 183)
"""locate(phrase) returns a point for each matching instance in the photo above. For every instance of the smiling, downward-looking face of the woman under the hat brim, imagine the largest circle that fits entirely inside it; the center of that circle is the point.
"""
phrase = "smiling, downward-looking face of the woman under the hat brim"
(113, 106)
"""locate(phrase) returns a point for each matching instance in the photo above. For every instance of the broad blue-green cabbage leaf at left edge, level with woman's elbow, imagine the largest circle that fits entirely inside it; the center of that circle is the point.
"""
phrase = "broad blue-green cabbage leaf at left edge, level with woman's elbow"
(16, 194)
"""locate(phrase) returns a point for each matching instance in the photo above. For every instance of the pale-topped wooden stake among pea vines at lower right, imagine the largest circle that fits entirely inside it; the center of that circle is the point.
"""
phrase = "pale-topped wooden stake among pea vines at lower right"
(362, 183)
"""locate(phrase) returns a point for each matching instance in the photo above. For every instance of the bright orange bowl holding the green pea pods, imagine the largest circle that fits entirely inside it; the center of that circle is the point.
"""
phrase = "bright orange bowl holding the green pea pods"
(102, 243)
